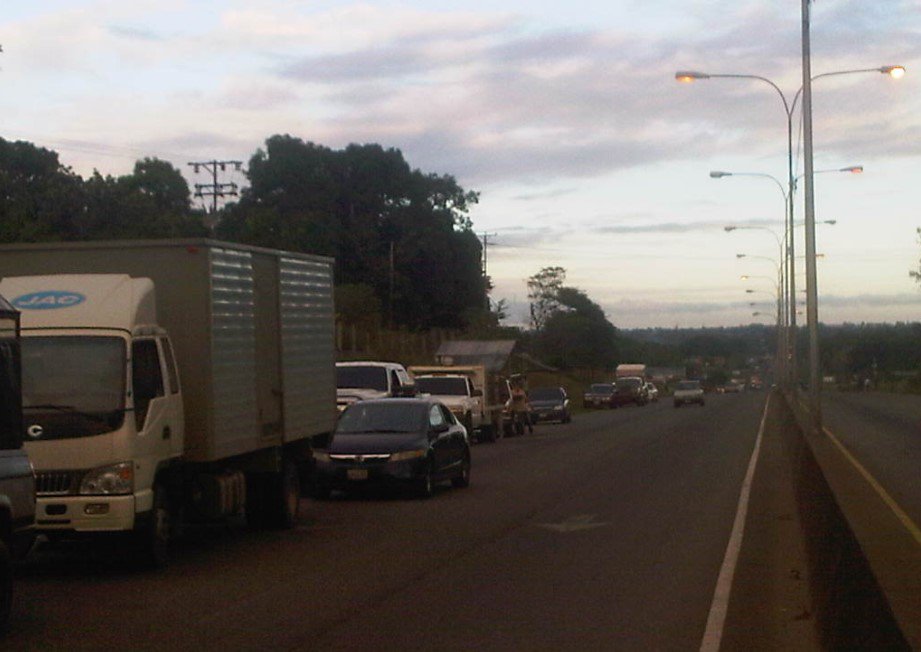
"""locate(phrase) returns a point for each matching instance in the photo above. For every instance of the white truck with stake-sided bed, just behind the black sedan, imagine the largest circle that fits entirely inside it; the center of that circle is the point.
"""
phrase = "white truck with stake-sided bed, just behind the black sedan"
(469, 392)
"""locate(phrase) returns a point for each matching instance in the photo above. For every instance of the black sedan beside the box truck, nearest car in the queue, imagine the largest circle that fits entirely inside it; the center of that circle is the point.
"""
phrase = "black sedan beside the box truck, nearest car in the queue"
(408, 442)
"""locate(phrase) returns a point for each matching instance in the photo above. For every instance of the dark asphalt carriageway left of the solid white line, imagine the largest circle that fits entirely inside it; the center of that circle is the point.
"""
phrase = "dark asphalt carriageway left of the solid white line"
(603, 534)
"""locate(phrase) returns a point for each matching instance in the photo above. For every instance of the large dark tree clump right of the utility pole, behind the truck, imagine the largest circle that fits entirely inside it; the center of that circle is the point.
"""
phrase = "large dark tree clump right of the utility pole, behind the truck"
(404, 233)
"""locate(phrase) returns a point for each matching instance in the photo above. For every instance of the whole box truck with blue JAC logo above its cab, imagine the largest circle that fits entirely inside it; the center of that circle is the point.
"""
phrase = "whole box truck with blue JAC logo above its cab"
(170, 381)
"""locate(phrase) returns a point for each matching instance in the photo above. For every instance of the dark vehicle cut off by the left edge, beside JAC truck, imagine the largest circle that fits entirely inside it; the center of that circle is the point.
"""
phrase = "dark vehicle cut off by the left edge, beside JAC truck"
(17, 481)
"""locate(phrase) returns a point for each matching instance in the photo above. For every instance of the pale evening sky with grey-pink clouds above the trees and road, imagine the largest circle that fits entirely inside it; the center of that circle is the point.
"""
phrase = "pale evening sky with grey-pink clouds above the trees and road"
(566, 117)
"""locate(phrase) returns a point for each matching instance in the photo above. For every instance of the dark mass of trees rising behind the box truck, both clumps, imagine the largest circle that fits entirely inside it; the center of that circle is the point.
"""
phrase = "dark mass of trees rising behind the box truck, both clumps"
(399, 236)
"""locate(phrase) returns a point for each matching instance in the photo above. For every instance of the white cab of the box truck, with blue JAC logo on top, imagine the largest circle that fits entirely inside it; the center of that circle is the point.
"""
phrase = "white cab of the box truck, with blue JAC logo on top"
(102, 403)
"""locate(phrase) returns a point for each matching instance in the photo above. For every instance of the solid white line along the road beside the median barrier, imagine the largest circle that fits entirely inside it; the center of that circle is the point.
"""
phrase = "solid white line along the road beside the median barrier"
(716, 620)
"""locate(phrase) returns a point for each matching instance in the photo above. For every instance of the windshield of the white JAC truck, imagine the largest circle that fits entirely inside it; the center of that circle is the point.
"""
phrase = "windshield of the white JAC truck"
(72, 386)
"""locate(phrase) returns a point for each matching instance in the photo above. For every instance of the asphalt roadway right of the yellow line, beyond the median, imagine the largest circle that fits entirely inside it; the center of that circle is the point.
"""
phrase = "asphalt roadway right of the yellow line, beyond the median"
(883, 432)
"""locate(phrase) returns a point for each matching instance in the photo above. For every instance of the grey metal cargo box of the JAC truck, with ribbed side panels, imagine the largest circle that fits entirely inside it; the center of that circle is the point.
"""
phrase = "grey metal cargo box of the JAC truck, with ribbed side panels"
(253, 331)
